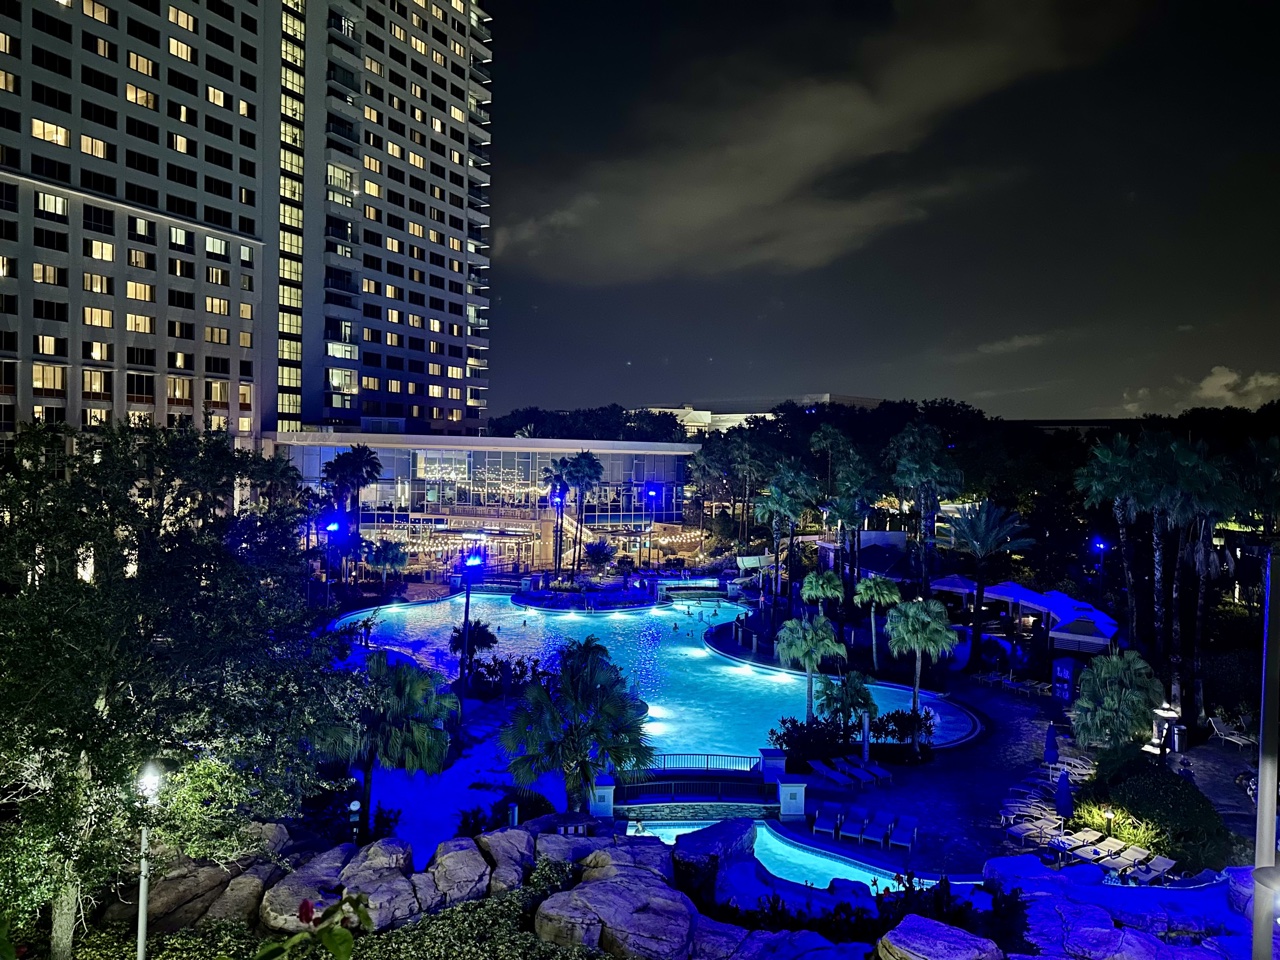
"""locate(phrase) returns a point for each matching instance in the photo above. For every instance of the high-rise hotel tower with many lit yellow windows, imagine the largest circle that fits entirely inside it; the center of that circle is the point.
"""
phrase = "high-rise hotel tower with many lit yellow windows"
(271, 213)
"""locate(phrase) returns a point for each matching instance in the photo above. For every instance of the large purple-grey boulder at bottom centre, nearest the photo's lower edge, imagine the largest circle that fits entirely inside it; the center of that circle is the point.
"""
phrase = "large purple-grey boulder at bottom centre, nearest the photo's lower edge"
(628, 916)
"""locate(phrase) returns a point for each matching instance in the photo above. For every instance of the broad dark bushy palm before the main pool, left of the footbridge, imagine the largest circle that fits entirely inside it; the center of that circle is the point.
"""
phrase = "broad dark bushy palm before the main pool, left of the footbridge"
(580, 723)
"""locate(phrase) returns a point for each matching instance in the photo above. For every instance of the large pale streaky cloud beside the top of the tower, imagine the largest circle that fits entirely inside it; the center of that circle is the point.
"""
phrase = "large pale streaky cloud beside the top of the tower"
(737, 175)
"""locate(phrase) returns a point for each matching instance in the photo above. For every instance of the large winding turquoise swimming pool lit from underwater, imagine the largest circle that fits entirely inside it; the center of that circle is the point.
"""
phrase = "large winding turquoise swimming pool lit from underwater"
(700, 702)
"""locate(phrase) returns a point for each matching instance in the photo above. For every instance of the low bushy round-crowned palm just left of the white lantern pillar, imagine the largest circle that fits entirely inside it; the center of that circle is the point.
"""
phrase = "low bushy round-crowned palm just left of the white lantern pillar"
(1118, 694)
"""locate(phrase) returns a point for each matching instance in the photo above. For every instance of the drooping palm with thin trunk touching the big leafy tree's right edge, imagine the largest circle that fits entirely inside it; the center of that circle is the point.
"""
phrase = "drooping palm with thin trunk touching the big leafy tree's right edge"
(397, 725)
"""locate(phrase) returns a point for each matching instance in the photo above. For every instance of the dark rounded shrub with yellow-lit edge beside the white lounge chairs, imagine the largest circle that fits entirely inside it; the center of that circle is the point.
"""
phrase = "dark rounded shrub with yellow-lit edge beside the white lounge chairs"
(1155, 810)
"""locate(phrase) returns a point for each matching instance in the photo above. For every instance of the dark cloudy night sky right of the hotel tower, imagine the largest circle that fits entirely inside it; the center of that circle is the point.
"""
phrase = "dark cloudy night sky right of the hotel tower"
(1045, 209)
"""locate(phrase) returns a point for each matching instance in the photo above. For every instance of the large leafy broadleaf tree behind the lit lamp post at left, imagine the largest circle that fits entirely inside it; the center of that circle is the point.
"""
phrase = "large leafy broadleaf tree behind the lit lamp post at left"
(172, 625)
